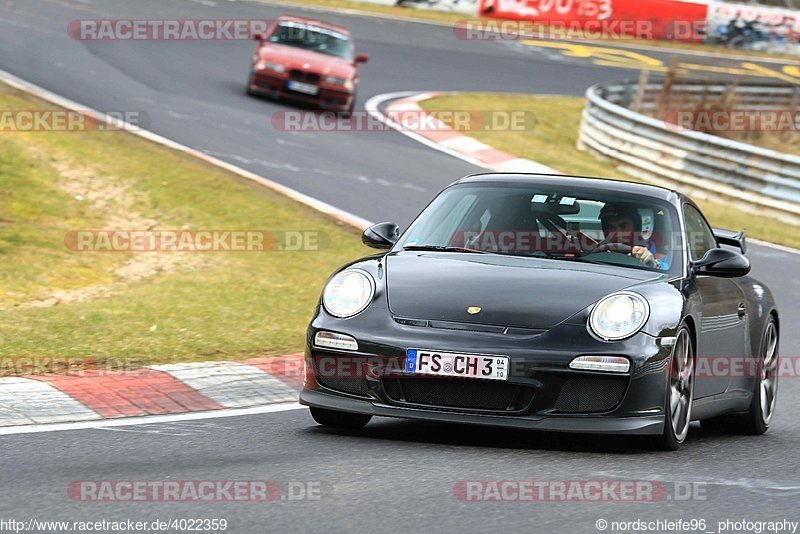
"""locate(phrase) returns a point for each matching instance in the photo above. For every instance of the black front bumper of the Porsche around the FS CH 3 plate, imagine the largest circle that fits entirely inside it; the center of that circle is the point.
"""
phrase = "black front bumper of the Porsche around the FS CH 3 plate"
(542, 391)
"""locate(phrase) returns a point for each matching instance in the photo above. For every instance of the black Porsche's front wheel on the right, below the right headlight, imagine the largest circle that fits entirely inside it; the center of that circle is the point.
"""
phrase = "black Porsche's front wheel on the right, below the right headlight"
(679, 395)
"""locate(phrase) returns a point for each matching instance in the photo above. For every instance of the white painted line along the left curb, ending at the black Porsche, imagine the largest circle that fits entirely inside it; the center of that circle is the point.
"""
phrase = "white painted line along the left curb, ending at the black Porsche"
(150, 419)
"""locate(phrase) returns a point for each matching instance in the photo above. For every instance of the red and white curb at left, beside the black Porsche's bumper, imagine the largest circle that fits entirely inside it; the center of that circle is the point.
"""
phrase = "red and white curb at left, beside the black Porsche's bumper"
(155, 390)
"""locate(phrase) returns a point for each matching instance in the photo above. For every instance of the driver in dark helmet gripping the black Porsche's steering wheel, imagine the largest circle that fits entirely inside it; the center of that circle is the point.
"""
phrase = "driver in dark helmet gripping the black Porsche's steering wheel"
(622, 224)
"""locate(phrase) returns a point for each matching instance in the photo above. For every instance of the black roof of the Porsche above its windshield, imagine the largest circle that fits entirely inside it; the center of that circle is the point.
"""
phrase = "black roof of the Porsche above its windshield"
(606, 184)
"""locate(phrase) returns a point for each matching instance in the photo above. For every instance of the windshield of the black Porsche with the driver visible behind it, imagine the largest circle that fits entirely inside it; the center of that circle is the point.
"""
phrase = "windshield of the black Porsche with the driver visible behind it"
(583, 225)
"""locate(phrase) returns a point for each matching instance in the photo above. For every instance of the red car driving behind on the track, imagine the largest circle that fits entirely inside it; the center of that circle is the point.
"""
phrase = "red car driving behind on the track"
(307, 61)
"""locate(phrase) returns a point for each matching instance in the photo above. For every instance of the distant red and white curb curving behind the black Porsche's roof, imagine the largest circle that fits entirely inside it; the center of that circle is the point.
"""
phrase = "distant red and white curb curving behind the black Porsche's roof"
(440, 137)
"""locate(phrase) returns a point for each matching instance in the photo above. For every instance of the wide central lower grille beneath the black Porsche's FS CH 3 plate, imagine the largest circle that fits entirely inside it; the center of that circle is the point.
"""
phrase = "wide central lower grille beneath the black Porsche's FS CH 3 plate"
(472, 394)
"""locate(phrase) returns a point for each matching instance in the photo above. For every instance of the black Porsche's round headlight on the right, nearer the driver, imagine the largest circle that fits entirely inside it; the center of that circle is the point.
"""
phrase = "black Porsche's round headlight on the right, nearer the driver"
(619, 316)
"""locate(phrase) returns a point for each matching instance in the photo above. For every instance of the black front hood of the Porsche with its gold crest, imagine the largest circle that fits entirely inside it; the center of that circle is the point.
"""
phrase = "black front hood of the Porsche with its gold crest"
(511, 291)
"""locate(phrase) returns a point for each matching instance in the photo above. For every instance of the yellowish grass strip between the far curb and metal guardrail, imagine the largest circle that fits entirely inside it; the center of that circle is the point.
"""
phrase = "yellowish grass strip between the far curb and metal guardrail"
(552, 142)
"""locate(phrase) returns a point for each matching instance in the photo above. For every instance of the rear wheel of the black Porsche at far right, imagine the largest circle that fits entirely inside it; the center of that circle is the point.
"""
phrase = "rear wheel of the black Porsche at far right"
(765, 392)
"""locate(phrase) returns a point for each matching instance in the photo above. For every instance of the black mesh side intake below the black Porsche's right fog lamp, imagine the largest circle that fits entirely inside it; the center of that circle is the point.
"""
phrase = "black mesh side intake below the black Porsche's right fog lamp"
(591, 394)
